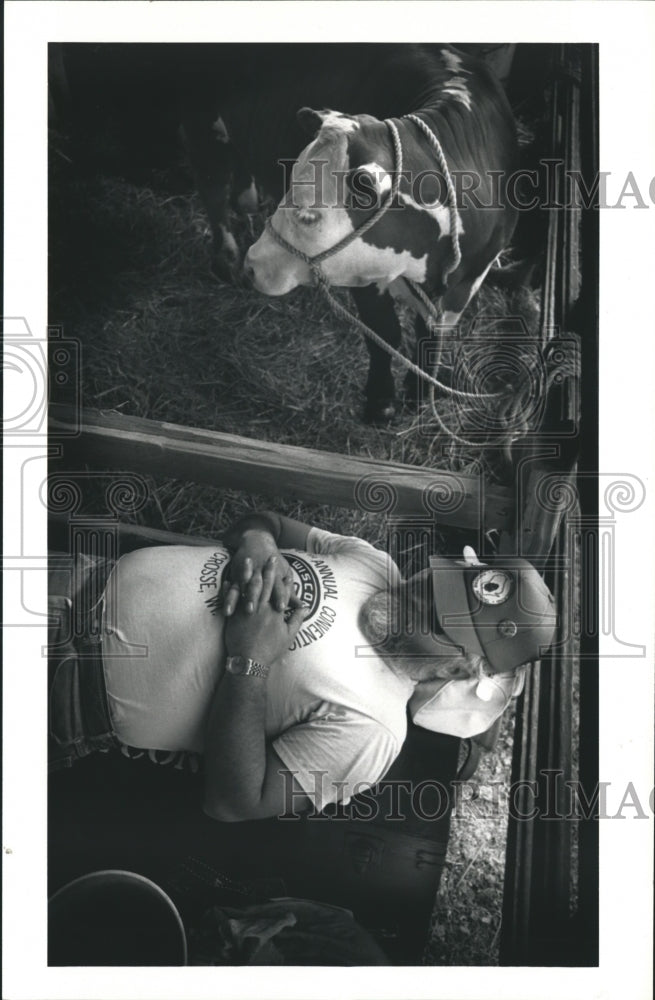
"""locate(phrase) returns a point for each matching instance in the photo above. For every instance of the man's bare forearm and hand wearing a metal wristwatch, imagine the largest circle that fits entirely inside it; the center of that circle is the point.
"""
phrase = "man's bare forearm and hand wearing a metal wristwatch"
(244, 778)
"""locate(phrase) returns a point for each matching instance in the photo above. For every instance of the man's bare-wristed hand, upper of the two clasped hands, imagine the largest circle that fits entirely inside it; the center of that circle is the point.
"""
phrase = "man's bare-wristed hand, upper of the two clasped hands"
(258, 573)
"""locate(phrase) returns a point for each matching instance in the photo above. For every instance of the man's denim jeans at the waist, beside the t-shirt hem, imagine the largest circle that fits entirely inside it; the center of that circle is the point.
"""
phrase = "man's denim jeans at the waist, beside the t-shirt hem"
(78, 715)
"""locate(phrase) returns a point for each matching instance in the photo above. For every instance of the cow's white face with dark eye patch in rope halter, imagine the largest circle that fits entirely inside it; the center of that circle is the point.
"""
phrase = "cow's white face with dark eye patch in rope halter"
(317, 213)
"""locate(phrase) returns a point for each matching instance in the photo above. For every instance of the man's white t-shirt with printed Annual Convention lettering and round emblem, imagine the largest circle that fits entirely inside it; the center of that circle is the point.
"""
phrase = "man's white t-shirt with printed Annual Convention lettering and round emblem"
(335, 713)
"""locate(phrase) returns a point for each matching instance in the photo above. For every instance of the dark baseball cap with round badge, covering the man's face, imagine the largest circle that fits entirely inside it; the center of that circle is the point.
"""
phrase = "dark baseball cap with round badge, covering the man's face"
(501, 610)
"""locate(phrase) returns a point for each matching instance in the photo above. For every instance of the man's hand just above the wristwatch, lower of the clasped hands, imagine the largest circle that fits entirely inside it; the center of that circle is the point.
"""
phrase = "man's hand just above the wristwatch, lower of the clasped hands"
(264, 634)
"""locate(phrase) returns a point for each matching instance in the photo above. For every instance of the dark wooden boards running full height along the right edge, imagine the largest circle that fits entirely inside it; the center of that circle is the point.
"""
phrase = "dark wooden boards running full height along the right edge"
(537, 925)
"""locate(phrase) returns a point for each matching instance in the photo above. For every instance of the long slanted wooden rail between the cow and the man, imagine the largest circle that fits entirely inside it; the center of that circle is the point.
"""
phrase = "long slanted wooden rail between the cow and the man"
(112, 440)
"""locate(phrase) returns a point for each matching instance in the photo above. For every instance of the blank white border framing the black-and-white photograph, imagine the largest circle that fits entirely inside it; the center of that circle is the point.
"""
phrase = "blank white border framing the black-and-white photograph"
(625, 32)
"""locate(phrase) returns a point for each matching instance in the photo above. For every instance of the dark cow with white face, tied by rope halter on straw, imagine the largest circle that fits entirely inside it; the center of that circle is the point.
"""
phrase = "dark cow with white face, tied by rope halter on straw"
(328, 189)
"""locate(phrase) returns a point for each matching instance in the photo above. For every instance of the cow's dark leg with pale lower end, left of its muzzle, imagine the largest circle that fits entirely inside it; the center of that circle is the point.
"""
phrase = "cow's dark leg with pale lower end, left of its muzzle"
(212, 158)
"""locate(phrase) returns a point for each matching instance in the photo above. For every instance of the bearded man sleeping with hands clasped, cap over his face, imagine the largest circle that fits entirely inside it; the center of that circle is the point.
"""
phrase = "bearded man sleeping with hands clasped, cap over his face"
(283, 653)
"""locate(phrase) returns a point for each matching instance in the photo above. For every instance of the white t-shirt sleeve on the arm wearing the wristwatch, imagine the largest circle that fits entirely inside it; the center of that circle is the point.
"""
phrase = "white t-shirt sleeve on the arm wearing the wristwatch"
(337, 753)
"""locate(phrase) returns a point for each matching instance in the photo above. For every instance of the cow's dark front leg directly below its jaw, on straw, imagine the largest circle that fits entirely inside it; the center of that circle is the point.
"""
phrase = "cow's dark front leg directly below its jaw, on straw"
(377, 311)
